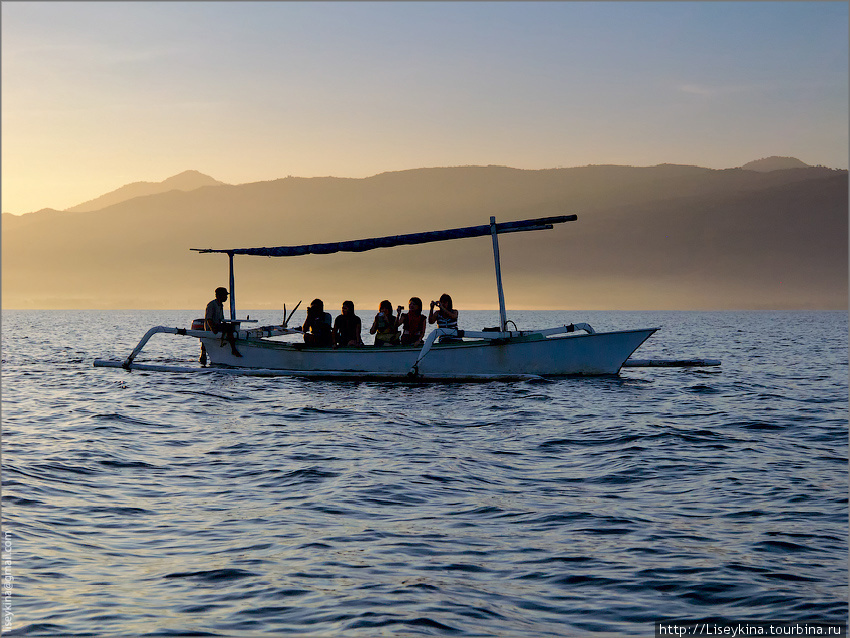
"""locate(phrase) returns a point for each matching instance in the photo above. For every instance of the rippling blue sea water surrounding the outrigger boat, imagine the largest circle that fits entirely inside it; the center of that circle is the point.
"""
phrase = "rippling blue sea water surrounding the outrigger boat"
(157, 504)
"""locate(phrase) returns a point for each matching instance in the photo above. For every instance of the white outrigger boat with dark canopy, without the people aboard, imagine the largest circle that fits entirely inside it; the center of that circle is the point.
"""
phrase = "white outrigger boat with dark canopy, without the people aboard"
(574, 349)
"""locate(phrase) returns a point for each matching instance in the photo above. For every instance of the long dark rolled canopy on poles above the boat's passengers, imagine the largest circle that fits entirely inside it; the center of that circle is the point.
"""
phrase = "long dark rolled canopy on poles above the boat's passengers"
(361, 245)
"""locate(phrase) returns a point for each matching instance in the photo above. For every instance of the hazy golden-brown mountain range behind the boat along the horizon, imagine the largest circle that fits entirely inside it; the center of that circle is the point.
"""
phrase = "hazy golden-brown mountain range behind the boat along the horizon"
(772, 234)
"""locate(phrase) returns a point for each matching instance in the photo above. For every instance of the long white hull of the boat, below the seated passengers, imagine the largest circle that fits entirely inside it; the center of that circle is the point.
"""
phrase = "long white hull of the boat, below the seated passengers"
(601, 353)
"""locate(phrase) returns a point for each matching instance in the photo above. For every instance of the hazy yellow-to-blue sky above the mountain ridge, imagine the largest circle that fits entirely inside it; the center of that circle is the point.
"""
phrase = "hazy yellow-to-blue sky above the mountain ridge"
(99, 94)
